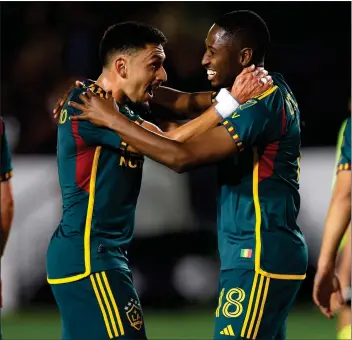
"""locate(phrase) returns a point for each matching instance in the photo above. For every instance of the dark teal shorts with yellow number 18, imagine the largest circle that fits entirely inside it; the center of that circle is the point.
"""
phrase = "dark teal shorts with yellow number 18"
(253, 306)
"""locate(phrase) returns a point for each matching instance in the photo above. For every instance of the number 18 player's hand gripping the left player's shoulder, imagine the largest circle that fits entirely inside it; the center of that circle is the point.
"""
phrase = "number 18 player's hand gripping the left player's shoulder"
(95, 109)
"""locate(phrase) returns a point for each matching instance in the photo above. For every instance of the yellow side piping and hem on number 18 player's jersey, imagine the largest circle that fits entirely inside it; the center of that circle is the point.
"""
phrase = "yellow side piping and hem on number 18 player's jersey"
(258, 221)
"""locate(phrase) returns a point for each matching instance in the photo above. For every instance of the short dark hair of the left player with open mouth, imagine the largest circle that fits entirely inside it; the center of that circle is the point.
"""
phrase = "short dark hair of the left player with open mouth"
(126, 36)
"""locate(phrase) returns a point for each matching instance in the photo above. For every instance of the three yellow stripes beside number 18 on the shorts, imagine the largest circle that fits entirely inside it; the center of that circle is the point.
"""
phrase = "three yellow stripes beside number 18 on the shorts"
(257, 299)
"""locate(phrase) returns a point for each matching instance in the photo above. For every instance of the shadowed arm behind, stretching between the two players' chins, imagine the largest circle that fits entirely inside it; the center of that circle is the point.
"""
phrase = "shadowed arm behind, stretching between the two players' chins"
(182, 102)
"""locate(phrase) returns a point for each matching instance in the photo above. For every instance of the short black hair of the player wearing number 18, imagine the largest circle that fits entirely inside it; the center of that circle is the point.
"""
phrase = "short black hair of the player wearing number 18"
(249, 28)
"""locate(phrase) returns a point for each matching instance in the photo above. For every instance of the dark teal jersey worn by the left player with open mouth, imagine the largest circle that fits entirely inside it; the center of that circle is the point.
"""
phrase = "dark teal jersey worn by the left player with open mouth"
(100, 183)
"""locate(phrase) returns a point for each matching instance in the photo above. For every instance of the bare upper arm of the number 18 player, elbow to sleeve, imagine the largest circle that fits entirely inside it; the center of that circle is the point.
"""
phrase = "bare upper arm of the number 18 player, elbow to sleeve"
(208, 148)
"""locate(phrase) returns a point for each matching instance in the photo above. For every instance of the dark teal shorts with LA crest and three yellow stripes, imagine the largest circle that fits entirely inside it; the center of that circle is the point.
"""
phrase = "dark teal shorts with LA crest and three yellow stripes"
(104, 305)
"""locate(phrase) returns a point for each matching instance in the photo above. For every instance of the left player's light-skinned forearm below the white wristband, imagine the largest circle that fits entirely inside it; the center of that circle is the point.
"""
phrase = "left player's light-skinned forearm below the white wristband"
(195, 127)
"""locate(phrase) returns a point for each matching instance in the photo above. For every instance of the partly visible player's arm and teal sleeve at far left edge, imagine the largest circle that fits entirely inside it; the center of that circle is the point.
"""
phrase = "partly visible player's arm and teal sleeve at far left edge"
(7, 204)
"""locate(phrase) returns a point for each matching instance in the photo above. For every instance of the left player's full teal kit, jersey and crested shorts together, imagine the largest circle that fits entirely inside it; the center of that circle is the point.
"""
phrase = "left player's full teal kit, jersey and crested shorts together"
(87, 263)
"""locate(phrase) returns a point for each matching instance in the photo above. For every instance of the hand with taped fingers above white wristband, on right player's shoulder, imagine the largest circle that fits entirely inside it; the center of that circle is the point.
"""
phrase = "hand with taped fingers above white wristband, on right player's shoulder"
(250, 83)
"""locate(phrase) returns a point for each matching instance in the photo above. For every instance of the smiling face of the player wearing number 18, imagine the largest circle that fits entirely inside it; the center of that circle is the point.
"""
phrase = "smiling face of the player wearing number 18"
(223, 58)
